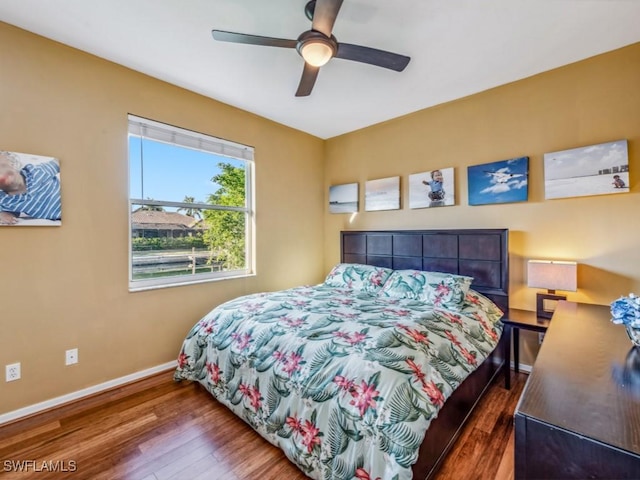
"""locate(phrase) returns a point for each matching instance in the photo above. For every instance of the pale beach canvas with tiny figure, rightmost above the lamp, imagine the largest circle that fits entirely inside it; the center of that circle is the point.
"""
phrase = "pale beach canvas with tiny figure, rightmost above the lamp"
(593, 170)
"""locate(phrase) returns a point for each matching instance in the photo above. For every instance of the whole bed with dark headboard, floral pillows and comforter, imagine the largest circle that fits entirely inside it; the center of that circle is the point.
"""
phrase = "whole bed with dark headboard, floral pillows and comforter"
(372, 373)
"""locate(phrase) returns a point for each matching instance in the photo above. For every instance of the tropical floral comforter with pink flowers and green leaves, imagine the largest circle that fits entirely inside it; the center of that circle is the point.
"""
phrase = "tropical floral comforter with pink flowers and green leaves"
(344, 383)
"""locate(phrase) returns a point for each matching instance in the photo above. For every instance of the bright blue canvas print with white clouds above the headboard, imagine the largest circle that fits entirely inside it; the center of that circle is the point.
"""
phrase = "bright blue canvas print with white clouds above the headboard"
(506, 181)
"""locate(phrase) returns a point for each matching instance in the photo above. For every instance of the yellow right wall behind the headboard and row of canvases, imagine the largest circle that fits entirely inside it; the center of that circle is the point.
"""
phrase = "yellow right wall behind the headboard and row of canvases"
(590, 102)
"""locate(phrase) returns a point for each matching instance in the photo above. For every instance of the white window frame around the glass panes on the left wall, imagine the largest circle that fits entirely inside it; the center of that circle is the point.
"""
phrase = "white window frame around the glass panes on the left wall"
(150, 129)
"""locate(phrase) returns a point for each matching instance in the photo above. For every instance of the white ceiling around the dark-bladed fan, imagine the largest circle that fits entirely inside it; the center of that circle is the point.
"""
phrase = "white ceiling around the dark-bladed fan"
(457, 48)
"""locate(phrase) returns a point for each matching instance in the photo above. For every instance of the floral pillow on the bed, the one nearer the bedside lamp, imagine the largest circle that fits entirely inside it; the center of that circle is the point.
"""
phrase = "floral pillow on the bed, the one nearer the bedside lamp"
(439, 289)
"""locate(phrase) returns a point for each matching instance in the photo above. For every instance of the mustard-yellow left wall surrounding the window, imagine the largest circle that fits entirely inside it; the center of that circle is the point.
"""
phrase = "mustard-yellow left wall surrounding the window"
(65, 287)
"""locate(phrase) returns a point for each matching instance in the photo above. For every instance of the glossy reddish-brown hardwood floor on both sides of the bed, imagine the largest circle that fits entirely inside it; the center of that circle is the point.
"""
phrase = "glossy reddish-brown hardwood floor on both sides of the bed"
(156, 429)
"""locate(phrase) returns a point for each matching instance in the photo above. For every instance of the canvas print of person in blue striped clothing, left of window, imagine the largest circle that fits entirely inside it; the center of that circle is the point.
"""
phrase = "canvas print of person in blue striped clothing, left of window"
(29, 190)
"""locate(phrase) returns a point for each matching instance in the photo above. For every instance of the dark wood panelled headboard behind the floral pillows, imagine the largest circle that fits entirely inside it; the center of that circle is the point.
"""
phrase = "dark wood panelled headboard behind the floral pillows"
(479, 253)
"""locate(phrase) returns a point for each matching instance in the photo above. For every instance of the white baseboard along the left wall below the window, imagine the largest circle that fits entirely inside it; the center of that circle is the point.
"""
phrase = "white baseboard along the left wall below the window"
(85, 392)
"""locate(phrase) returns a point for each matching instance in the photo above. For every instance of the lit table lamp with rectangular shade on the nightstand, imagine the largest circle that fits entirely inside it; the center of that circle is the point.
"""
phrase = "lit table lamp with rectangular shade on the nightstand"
(552, 275)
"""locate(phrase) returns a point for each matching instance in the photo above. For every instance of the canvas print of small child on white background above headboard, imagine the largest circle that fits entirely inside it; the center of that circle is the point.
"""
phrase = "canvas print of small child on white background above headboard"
(432, 189)
